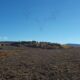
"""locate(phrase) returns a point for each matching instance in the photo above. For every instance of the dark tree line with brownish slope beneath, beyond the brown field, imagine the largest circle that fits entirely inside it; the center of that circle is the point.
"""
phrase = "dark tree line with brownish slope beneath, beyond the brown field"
(35, 44)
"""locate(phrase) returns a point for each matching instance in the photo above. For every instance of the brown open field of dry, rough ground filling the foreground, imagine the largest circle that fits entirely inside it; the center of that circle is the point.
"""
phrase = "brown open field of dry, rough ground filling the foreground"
(39, 64)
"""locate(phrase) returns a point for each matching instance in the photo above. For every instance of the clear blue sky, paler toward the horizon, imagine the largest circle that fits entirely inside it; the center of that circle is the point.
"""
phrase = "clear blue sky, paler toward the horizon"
(41, 20)
